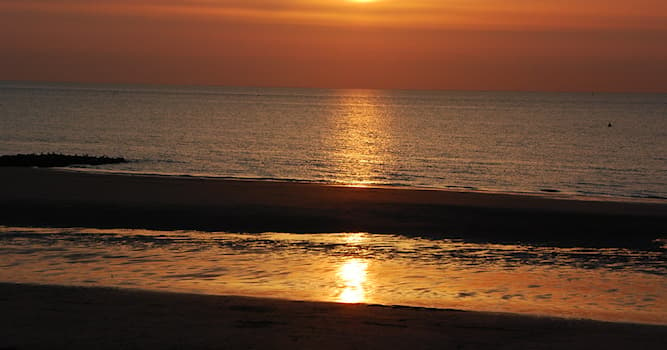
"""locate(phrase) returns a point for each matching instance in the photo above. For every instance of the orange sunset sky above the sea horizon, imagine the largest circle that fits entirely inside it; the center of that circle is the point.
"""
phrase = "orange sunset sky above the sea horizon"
(528, 45)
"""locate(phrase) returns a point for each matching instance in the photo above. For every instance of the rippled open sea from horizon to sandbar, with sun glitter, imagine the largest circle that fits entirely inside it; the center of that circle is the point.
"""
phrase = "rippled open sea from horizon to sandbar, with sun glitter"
(487, 141)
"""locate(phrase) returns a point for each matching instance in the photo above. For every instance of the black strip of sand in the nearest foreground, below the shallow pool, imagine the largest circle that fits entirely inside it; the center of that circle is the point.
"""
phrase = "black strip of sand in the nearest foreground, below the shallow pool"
(51, 317)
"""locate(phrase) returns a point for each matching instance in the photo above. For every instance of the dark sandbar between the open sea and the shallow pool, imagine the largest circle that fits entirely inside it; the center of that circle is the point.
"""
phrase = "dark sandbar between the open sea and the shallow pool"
(43, 197)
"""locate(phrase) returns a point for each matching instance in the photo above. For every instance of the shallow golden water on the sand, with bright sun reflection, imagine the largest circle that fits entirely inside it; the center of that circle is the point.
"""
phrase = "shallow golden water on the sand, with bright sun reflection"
(603, 284)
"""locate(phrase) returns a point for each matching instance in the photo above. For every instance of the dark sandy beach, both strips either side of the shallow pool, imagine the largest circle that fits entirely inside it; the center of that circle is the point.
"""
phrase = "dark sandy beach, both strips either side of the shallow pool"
(47, 316)
